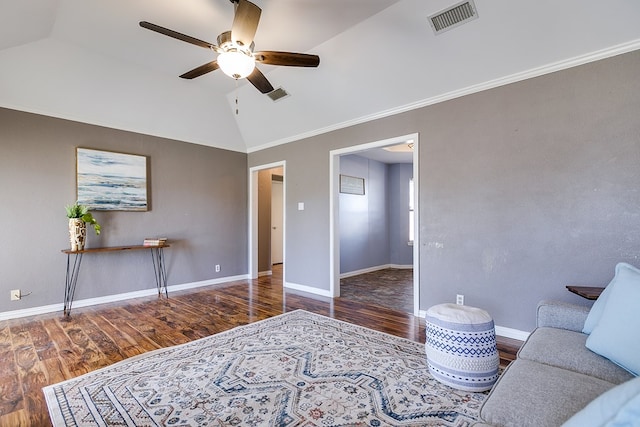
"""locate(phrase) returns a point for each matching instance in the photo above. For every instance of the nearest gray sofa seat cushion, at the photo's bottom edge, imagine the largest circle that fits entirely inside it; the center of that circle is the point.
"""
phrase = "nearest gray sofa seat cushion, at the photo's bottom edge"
(539, 395)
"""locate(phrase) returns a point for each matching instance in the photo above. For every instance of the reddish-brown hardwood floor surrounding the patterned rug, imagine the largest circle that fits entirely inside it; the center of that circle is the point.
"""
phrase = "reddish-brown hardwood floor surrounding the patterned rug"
(41, 350)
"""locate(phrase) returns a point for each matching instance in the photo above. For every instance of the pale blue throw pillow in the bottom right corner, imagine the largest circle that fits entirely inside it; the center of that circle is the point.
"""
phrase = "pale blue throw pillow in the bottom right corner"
(618, 407)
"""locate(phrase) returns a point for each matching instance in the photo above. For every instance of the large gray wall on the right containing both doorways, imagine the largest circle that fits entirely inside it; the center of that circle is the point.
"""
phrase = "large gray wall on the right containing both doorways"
(524, 189)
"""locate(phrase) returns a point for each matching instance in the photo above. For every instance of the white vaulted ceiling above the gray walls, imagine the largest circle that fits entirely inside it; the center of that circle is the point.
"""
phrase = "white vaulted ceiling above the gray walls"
(90, 61)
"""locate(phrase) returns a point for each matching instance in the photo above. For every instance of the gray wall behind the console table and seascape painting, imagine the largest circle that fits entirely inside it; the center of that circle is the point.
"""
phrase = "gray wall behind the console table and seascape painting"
(198, 200)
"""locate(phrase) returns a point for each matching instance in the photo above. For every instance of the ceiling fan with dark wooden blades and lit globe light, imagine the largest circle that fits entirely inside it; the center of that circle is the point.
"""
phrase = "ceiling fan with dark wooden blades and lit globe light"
(236, 56)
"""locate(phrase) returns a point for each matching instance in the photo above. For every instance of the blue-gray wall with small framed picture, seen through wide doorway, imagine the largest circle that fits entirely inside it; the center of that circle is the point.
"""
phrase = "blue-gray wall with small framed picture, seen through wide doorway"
(364, 222)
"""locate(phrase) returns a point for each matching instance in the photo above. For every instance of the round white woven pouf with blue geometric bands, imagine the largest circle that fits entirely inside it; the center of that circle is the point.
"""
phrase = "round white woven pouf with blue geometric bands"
(461, 347)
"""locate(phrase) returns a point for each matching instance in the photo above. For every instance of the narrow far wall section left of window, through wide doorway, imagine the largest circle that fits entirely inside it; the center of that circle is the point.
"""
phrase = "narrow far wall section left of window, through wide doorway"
(400, 253)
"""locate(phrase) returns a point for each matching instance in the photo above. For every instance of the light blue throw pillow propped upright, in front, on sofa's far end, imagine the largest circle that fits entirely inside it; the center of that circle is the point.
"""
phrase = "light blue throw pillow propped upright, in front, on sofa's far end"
(617, 334)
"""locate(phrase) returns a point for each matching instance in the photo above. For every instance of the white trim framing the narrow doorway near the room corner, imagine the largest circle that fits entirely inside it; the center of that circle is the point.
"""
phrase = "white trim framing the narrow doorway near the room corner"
(253, 216)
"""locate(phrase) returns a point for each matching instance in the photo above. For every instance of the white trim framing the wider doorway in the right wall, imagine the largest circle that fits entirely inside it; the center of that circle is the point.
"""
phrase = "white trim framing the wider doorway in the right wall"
(334, 216)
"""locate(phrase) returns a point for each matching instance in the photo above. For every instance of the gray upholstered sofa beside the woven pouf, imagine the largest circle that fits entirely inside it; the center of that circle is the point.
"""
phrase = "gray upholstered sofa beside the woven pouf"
(554, 375)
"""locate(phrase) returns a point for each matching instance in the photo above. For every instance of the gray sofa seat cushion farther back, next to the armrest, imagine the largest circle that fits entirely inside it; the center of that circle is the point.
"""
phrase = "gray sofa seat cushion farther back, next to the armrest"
(566, 349)
